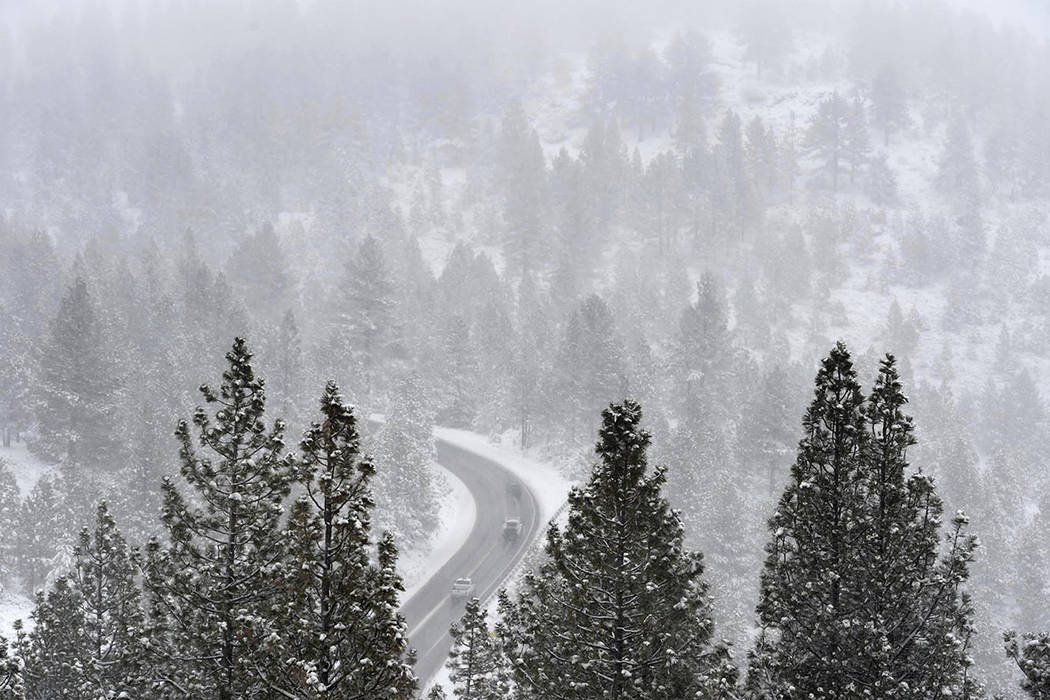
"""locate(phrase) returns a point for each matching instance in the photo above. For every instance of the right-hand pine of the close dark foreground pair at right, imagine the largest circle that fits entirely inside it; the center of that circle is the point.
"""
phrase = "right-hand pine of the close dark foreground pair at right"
(916, 627)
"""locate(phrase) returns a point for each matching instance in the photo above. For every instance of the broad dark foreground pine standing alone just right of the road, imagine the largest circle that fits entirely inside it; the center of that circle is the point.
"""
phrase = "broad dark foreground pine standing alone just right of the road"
(620, 610)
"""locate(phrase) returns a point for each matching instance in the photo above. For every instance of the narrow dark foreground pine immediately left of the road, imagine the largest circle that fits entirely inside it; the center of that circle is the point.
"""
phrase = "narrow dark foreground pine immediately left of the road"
(345, 640)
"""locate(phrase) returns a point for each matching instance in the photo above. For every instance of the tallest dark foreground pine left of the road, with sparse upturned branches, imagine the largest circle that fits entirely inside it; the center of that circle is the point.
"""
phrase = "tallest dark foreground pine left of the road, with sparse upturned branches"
(213, 578)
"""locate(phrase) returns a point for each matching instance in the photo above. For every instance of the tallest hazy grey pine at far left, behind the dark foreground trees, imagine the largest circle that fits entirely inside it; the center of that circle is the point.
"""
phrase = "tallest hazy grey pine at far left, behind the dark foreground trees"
(78, 389)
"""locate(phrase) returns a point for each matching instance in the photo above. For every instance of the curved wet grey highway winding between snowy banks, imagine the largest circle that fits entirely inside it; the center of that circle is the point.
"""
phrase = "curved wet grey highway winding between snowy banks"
(486, 557)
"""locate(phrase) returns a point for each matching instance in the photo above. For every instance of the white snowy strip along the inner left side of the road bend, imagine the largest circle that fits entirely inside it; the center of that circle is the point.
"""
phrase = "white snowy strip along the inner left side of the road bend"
(456, 517)
